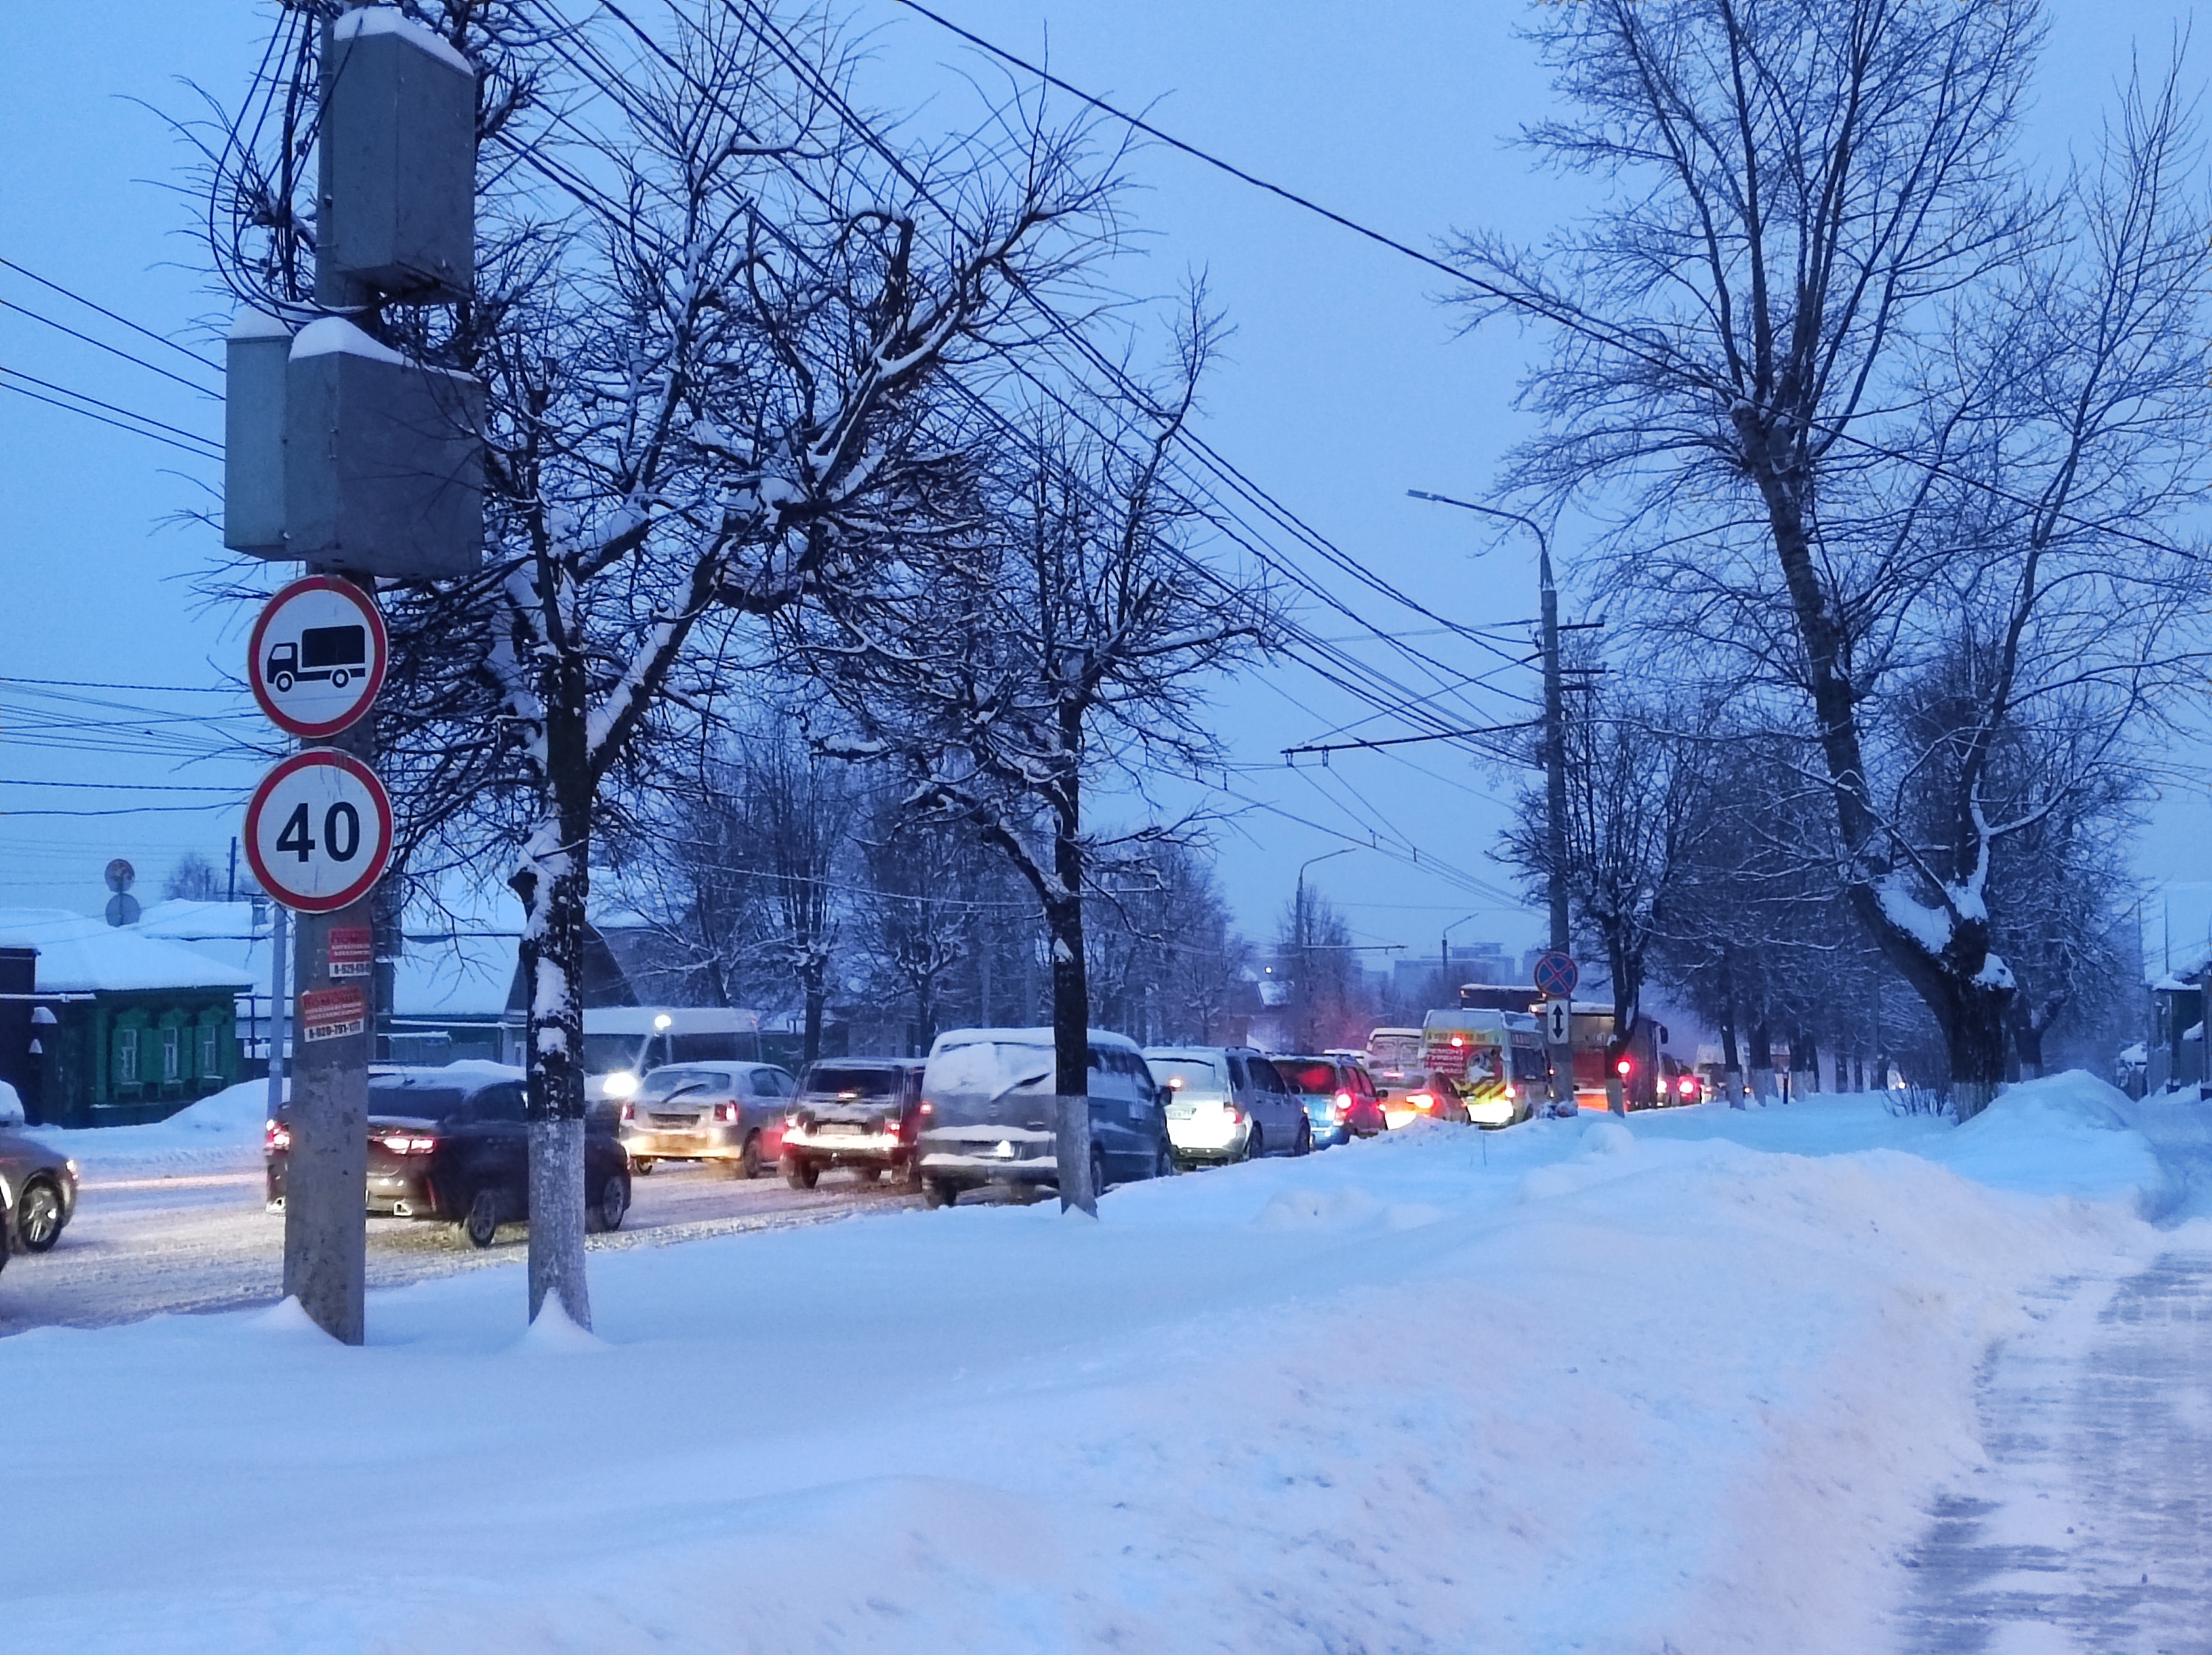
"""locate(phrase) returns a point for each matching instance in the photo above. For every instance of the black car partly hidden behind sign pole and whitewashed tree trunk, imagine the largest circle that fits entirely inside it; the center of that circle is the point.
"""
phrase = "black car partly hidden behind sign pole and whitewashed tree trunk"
(455, 1145)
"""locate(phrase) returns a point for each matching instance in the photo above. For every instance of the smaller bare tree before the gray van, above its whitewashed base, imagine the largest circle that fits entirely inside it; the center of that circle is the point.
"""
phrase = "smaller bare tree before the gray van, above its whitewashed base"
(1054, 649)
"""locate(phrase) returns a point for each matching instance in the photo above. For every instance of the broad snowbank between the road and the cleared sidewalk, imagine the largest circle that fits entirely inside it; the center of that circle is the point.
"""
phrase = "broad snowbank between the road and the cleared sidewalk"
(1574, 1386)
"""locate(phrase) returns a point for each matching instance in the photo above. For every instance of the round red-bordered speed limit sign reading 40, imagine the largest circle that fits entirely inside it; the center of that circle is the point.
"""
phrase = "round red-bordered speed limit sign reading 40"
(320, 831)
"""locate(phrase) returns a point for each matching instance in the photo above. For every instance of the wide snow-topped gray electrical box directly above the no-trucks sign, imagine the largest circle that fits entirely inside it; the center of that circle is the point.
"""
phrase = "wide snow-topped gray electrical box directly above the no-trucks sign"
(384, 472)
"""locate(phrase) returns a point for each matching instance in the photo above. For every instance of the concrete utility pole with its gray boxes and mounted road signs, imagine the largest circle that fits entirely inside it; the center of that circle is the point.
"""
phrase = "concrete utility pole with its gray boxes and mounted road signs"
(359, 464)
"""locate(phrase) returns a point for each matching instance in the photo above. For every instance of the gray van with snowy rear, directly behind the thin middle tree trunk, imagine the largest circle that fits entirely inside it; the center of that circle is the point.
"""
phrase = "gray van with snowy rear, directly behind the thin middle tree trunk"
(988, 1105)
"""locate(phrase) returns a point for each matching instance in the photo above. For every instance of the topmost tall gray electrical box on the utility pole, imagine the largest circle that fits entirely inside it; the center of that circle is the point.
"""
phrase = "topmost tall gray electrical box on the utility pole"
(397, 156)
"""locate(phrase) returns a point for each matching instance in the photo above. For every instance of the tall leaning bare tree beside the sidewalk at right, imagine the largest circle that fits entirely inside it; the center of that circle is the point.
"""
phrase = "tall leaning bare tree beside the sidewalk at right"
(1826, 346)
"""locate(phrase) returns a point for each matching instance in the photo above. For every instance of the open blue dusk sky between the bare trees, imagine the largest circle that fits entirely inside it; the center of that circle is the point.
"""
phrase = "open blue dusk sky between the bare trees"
(1344, 388)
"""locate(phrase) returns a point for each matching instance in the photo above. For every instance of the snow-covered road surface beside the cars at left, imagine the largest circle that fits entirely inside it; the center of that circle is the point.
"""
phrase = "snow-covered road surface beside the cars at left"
(149, 1242)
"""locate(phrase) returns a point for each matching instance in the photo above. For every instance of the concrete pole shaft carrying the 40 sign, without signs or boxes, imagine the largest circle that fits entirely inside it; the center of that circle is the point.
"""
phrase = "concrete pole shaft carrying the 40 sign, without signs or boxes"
(326, 1229)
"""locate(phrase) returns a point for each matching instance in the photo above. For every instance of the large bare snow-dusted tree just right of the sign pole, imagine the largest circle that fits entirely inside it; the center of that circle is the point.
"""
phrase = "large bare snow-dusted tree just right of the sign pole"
(713, 315)
